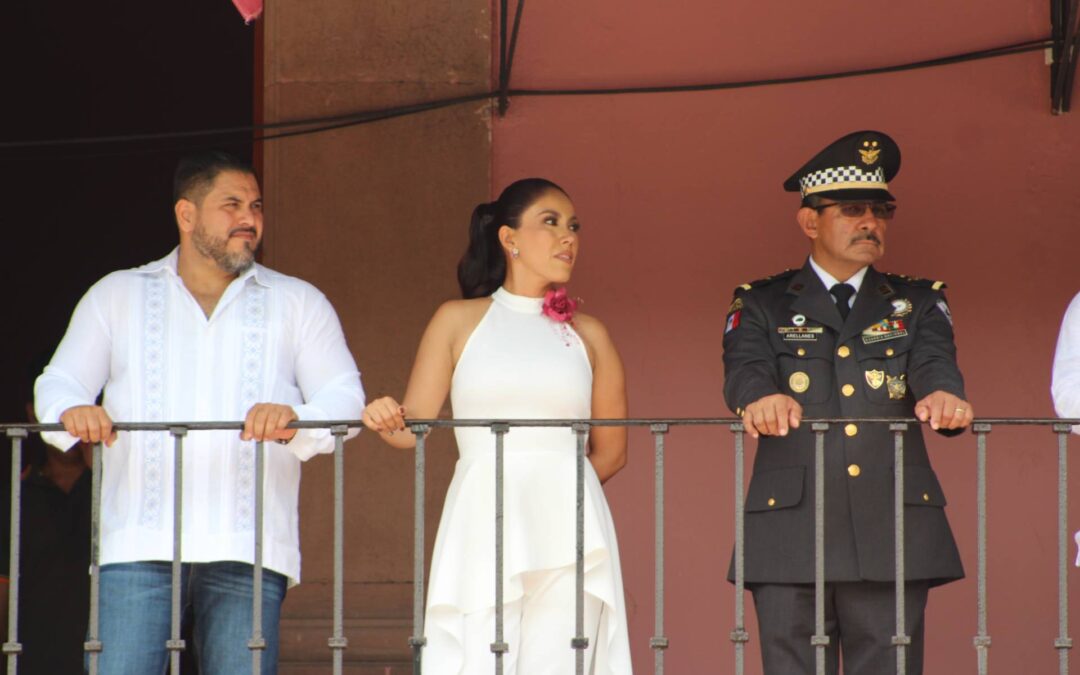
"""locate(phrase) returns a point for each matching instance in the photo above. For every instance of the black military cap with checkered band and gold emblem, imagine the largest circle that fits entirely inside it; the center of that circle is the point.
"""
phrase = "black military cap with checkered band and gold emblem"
(856, 168)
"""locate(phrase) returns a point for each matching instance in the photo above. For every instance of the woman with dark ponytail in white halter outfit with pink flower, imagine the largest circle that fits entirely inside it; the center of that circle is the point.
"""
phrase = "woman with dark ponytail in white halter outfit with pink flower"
(515, 348)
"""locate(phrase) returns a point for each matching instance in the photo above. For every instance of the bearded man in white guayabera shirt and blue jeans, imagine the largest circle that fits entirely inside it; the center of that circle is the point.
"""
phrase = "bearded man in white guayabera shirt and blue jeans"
(204, 334)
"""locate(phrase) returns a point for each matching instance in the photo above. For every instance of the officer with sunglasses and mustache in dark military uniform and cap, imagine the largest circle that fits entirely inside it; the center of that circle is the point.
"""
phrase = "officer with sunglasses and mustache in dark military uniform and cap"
(838, 339)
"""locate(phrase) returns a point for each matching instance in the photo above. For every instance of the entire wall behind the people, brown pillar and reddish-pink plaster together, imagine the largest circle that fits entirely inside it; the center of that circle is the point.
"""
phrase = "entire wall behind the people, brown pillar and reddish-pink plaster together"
(681, 200)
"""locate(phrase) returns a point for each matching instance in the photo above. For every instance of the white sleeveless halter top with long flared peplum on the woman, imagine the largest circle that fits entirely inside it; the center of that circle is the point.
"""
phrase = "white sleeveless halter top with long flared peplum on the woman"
(520, 364)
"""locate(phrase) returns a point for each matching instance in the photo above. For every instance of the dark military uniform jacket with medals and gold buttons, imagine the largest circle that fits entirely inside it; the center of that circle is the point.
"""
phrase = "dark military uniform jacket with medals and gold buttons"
(785, 335)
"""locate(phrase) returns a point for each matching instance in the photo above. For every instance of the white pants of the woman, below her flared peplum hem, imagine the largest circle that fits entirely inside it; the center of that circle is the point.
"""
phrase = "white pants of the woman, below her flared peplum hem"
(537, 628)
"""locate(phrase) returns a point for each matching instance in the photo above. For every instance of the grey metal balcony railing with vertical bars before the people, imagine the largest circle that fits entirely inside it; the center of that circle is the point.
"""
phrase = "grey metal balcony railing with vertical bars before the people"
(659, 428)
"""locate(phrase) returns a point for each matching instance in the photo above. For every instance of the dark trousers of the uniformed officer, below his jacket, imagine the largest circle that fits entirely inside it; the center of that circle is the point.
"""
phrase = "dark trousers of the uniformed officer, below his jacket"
(860, 622)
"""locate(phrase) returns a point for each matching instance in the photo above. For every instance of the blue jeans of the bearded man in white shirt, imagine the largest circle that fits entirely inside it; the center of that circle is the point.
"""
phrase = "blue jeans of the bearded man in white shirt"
(137, 617)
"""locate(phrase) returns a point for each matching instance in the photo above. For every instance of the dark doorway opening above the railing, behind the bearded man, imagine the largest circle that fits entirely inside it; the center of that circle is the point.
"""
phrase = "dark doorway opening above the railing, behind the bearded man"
(72, 214)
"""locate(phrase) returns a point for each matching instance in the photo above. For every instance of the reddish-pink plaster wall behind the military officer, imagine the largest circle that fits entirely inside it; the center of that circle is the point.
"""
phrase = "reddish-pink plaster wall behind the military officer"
(681, 201)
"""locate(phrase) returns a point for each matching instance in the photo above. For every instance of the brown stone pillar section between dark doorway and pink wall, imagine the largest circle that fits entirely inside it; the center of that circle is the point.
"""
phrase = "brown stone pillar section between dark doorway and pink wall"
(369, 214)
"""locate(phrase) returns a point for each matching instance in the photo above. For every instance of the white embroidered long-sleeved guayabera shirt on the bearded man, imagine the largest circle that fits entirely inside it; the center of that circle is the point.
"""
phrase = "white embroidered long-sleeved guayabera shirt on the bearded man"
(143, 337)
